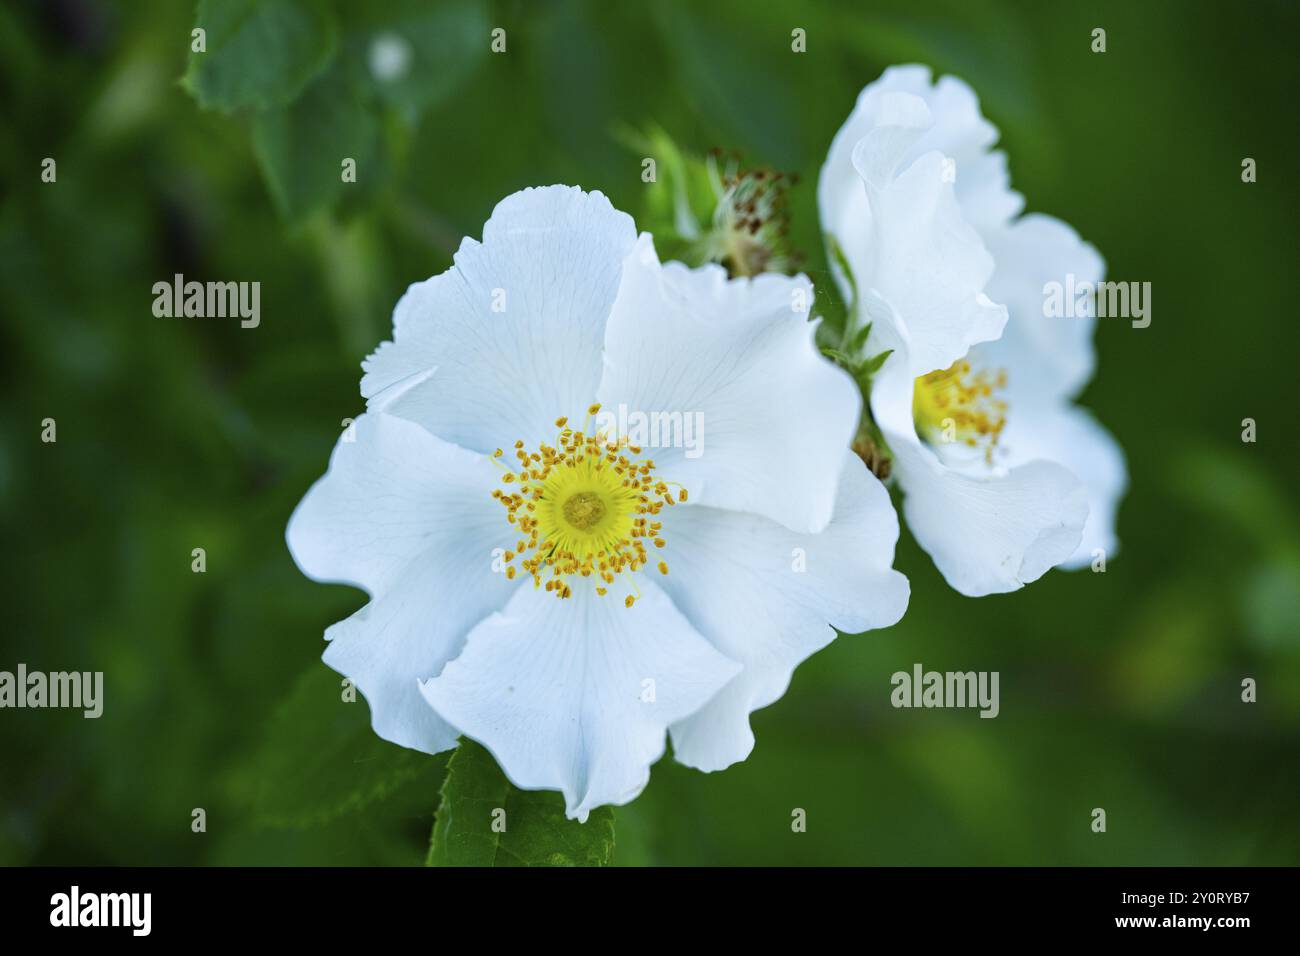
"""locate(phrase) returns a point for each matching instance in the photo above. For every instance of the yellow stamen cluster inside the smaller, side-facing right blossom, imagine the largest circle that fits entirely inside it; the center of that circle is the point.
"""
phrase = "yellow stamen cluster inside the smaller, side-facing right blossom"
(957, 405)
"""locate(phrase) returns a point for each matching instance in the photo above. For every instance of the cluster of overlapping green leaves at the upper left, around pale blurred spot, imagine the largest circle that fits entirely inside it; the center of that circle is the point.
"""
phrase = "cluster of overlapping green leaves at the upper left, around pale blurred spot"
(330, 85)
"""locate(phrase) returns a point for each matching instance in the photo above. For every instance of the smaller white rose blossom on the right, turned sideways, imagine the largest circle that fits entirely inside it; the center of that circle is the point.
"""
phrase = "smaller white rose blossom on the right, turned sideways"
(1004, 477)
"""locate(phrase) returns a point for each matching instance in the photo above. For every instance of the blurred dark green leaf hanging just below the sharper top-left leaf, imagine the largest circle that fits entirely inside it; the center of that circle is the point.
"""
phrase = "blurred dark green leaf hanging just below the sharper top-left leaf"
(302, 149)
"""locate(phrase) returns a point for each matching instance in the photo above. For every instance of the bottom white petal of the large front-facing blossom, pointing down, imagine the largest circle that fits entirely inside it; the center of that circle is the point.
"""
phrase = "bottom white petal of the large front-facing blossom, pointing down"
(558, 690)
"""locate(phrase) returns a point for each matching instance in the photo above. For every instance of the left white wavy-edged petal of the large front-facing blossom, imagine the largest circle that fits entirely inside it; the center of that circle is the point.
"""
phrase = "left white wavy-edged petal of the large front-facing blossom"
(410, 520)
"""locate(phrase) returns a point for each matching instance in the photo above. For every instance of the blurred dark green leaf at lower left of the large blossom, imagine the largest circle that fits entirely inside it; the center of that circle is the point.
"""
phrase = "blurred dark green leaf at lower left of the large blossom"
(320, 759)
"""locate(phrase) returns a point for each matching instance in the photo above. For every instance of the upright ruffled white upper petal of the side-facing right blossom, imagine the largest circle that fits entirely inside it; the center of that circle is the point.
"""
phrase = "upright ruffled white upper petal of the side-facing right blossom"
(908, 228)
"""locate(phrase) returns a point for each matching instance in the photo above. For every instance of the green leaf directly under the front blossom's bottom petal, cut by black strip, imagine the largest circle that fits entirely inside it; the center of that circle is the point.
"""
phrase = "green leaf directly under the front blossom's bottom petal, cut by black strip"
(478, 801)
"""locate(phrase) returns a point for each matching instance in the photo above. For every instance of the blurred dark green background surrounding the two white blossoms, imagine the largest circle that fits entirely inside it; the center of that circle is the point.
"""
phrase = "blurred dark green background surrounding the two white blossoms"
(1120, 691)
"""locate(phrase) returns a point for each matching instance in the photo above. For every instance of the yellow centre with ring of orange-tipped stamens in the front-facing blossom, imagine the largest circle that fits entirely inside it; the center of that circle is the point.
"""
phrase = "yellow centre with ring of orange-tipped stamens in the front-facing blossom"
(586, 507)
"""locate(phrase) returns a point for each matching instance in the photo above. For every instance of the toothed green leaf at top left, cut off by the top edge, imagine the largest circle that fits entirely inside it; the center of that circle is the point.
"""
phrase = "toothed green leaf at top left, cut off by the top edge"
(259, 54)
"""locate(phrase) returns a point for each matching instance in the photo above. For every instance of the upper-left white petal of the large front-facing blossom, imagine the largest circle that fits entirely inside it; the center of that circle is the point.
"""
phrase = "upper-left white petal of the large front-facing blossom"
(509, 340)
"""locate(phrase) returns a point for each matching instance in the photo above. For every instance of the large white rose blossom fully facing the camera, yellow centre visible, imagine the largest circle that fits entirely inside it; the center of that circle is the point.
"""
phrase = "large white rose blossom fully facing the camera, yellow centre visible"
(560, 595)
